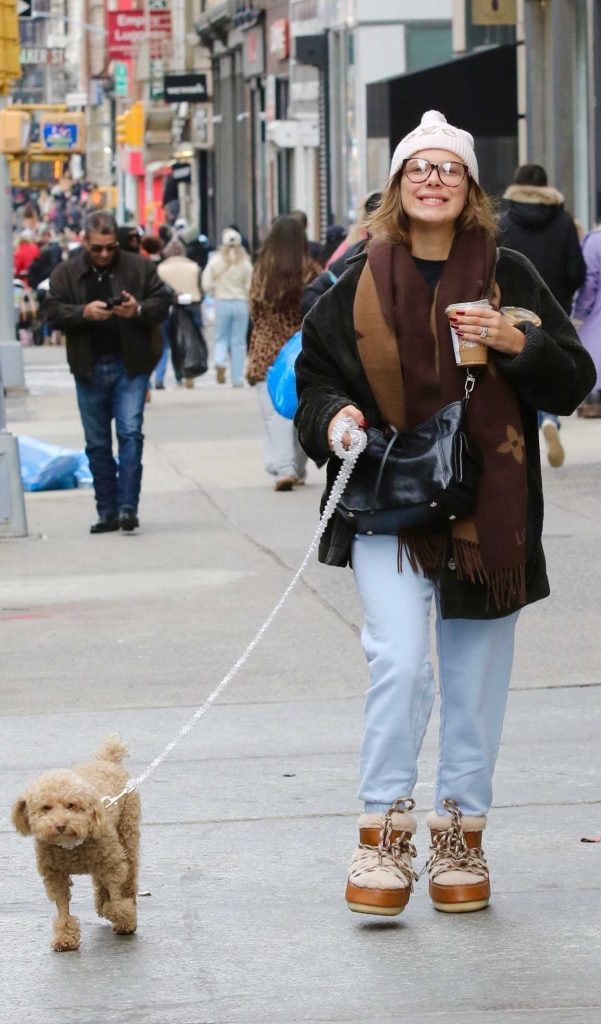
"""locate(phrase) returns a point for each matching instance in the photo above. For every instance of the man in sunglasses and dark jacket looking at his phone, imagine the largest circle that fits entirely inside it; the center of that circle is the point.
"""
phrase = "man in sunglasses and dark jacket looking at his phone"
(111, 305)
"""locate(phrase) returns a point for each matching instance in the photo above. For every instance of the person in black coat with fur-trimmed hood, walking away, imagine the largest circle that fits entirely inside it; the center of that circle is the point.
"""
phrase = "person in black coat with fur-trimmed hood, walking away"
(536, 225)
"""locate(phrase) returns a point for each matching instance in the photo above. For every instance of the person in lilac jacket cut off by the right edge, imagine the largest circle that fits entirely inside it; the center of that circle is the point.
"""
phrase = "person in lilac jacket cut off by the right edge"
(587, 315)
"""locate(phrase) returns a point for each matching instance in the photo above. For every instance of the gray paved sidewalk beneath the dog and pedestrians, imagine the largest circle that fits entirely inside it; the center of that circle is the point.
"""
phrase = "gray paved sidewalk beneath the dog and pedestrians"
(249, 824)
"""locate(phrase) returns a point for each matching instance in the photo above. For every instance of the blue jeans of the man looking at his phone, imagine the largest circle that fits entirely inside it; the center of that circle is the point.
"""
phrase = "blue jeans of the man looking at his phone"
(109, 396)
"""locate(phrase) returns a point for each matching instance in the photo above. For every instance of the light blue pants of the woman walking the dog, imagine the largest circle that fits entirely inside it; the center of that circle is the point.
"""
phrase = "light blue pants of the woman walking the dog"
(476, 658)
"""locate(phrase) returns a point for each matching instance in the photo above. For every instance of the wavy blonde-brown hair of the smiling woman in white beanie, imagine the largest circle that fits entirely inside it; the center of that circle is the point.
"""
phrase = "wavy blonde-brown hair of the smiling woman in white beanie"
(391, 224)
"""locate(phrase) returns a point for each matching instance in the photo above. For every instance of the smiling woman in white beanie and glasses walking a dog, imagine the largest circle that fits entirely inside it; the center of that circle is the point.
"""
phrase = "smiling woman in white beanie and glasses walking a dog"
(377, 348)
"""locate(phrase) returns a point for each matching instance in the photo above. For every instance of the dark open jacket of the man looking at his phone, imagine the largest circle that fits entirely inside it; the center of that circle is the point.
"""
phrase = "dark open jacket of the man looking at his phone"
(141, 336)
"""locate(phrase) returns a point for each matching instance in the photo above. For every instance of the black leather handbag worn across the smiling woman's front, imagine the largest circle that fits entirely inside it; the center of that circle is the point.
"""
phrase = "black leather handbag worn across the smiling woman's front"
(425, 477)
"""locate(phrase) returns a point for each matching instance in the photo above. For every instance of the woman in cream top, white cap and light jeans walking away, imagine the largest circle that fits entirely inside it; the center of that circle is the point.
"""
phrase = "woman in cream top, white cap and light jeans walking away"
(228, 277)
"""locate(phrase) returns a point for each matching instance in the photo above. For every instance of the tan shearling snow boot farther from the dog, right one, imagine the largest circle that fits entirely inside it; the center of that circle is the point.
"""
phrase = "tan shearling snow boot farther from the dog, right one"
(457, 867)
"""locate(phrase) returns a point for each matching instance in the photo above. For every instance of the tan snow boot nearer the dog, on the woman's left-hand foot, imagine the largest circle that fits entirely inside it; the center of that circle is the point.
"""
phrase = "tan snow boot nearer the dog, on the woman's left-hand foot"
(381, 877)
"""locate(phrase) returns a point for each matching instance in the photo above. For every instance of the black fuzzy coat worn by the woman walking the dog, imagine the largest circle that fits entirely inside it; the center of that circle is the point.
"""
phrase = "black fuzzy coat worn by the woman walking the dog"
(553, 372)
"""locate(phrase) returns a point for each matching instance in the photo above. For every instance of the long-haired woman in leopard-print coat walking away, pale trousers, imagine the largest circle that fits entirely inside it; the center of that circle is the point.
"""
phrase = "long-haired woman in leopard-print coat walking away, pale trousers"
(283, 271)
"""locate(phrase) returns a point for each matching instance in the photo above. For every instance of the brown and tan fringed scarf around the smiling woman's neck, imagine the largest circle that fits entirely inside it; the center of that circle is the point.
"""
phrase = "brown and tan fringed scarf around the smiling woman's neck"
(405, 346)
